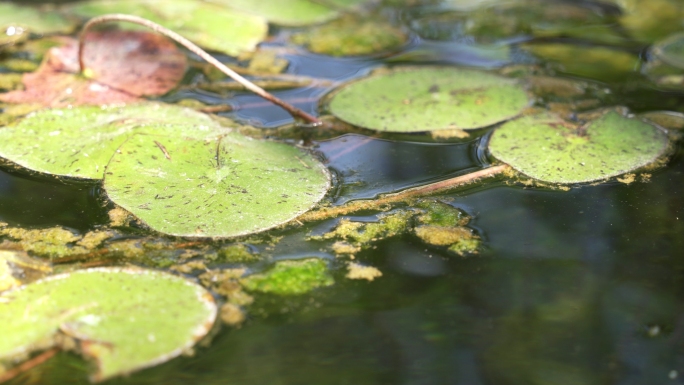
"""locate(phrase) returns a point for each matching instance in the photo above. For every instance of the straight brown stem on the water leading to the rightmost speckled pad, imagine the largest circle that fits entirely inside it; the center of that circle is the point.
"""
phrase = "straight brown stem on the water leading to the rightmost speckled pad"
(412, 193)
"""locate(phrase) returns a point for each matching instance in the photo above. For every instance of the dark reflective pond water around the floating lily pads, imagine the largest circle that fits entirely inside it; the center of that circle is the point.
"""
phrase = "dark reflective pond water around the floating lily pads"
(584, 286)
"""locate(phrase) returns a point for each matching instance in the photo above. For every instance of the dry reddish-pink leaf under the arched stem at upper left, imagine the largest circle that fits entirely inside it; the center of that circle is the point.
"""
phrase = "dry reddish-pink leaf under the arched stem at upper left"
(122, 66)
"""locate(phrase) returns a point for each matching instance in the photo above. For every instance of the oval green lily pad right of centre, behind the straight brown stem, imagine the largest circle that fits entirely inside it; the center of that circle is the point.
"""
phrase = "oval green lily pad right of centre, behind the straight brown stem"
(428, 99)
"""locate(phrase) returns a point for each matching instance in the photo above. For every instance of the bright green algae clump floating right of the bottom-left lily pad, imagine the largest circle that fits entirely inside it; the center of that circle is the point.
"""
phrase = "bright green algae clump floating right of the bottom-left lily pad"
(291, 277)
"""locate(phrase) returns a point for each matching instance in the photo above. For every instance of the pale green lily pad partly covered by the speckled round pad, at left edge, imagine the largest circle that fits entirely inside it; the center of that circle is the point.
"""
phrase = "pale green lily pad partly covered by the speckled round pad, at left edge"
(79, 142)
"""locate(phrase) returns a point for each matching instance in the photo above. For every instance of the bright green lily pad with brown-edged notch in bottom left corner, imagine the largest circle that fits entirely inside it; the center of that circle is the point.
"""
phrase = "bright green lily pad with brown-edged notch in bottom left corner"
(124, 319)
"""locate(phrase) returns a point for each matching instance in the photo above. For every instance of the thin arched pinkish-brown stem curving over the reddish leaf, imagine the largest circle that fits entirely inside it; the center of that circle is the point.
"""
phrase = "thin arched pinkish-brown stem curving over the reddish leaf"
(294, 111)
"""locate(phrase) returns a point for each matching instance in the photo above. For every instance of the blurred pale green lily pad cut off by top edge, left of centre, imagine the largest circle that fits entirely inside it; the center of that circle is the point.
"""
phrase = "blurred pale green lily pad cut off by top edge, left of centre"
(289, 13)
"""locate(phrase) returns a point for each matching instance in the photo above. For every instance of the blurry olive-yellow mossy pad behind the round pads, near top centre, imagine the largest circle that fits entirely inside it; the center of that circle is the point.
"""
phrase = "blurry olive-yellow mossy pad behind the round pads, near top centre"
(349, 36)
